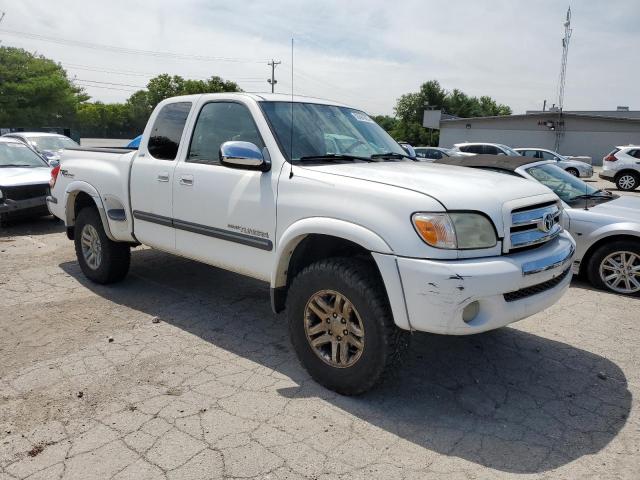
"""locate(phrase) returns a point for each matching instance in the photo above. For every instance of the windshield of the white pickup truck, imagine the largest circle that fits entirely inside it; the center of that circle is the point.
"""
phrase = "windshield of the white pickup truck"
(321, 130)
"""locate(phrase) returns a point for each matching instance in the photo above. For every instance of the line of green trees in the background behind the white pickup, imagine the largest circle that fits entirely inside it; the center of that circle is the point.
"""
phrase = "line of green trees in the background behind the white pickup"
(35, 92)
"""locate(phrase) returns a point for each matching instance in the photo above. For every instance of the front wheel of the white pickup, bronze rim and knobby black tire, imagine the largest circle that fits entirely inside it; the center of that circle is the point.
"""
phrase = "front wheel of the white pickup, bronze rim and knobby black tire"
(341, 326)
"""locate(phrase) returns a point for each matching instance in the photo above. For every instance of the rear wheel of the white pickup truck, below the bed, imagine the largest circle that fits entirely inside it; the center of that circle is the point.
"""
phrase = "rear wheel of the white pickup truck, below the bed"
(101, 259)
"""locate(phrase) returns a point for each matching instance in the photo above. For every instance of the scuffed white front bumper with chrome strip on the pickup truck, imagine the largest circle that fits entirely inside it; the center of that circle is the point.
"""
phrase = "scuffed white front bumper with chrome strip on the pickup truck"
(507, 288)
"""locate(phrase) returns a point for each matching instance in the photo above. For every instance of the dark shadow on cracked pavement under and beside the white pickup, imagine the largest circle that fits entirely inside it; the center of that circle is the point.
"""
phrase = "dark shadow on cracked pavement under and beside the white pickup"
(508, 400)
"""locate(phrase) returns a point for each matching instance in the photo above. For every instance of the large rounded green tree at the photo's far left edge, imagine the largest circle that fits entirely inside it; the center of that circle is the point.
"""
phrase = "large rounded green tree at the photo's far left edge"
(35, 91)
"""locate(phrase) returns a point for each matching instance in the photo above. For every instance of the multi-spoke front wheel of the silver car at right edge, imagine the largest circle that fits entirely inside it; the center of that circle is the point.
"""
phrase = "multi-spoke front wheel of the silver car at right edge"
(616, 267)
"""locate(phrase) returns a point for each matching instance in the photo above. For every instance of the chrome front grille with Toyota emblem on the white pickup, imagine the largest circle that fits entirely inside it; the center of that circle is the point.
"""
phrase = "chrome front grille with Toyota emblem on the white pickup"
(534, 225)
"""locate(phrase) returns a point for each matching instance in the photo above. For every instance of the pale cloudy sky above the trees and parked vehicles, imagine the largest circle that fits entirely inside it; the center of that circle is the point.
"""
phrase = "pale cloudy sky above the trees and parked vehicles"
(365, 53)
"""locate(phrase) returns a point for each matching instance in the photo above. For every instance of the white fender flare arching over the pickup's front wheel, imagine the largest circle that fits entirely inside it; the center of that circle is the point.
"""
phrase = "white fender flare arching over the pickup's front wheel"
(300, 229)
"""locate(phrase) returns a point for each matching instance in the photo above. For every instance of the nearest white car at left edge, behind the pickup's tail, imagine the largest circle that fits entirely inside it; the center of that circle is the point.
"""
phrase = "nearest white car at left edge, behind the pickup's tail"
(24, 181)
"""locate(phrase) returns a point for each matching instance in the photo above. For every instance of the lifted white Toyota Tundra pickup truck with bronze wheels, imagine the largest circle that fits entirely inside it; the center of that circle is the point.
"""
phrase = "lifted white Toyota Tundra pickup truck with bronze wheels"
(359, 243)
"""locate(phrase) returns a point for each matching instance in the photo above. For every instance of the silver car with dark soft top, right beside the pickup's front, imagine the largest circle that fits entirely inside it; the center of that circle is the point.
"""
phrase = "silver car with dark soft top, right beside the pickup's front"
(606, 227)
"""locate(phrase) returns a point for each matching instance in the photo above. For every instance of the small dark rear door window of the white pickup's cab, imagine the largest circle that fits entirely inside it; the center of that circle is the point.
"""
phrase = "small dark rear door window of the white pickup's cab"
(167, 130)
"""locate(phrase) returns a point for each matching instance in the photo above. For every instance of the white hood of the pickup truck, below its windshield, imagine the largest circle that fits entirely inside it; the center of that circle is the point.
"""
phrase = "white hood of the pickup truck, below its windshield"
(457, 188)
